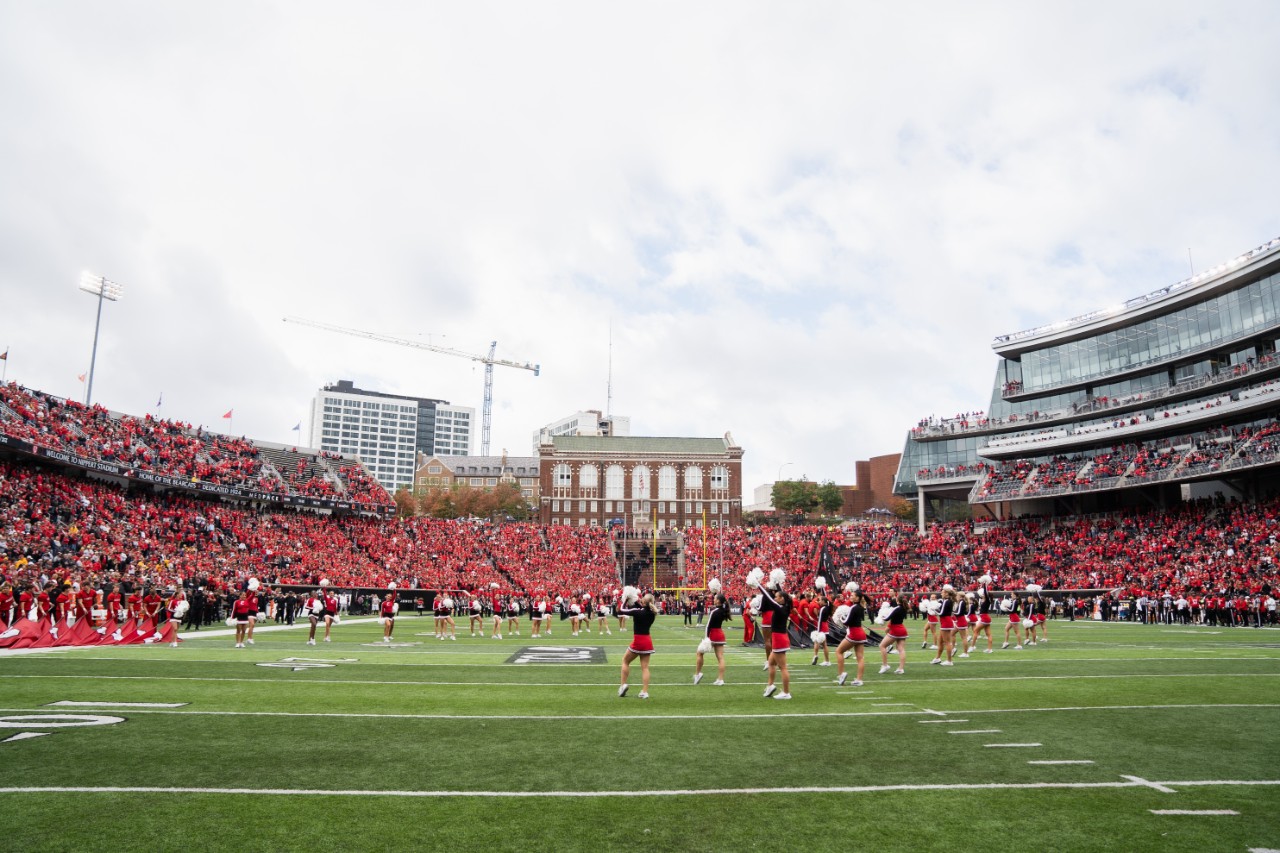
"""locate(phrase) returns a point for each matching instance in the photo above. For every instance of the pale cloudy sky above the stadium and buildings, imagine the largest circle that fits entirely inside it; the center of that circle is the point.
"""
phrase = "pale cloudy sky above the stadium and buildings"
(802, 223)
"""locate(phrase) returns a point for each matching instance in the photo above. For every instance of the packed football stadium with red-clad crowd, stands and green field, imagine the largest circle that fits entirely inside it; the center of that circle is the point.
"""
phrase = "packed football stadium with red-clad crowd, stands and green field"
(213, 642)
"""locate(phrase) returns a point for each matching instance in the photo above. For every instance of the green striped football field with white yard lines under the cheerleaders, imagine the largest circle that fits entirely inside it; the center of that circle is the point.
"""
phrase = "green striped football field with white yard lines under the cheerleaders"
(1107, 738)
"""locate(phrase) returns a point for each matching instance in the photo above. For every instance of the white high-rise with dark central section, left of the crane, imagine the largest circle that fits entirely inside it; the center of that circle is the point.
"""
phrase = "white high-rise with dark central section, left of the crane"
(388, 431)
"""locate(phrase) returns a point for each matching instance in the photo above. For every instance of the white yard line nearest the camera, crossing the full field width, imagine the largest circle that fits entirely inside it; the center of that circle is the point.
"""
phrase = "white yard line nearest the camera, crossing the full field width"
(563, 795)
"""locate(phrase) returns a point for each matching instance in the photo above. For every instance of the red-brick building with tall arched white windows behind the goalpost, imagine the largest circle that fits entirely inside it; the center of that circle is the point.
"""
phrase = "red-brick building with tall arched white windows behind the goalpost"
(641, 482)
